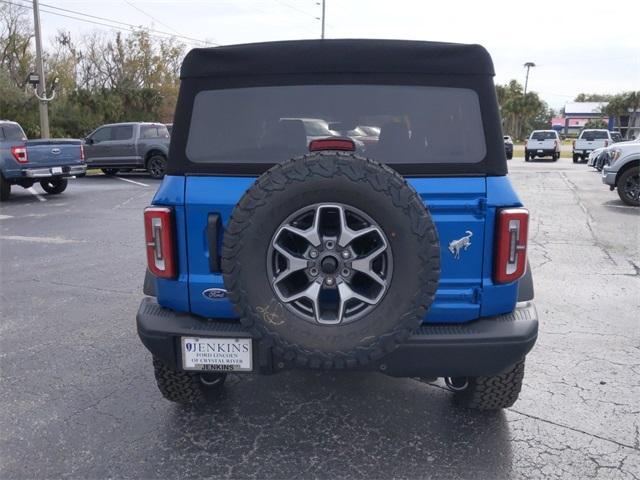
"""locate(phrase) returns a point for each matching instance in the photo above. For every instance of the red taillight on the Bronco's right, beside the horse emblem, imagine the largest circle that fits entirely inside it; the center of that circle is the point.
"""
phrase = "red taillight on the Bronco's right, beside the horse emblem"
(511, 244)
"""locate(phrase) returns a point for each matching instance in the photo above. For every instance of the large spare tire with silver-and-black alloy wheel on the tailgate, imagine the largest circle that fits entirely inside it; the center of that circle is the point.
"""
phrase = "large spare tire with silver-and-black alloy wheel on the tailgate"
(332, 259)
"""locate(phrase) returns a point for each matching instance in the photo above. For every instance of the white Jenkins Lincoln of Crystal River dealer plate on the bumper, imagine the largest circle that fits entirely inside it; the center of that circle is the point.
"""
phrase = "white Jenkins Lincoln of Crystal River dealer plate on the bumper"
(217, 354)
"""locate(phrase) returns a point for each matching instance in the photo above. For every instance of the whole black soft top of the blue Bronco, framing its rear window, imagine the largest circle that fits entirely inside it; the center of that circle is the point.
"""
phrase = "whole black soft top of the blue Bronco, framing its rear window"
(339, 62)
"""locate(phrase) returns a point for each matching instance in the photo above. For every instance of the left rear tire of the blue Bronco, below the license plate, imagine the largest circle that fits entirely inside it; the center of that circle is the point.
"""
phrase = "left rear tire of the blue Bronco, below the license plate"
(187, 388)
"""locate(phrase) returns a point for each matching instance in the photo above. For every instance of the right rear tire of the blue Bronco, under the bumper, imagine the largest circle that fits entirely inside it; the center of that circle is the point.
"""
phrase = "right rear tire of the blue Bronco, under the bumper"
(488, 393)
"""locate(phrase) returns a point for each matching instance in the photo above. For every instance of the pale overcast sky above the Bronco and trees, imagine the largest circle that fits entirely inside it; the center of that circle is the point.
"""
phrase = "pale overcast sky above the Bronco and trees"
(586, 46)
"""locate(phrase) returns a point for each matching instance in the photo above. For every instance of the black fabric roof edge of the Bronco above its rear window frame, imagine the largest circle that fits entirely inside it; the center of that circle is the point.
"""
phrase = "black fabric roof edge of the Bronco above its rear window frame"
(337, 56)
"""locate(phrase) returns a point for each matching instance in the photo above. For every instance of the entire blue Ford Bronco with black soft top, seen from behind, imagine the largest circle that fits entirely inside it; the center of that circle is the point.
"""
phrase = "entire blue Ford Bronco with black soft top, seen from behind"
(268, 251)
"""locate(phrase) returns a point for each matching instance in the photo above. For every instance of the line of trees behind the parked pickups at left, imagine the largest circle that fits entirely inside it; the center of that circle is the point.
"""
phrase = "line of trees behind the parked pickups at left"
(101, 77)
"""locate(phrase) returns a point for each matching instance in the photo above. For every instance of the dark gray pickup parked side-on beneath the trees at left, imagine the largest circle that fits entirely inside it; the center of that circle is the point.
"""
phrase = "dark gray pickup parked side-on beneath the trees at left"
(126, 146)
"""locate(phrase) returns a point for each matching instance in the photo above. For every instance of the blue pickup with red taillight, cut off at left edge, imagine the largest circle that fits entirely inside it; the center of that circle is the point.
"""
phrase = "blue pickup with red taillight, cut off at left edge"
(24, 162)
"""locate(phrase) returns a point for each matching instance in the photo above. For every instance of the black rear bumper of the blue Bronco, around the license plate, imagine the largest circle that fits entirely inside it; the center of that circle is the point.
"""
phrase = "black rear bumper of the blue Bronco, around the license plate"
(483, 347)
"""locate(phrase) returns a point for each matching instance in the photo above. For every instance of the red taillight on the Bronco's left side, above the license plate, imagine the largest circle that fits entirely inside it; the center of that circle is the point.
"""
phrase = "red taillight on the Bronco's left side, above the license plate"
(159, 233)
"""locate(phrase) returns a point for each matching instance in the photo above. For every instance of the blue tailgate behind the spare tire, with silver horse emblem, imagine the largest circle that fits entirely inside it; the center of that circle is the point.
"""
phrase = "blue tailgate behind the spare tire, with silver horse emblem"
(458, 207)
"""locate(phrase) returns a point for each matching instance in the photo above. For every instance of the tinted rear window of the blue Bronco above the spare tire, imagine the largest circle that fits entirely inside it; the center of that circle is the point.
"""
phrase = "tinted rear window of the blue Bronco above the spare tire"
(410, 124)
